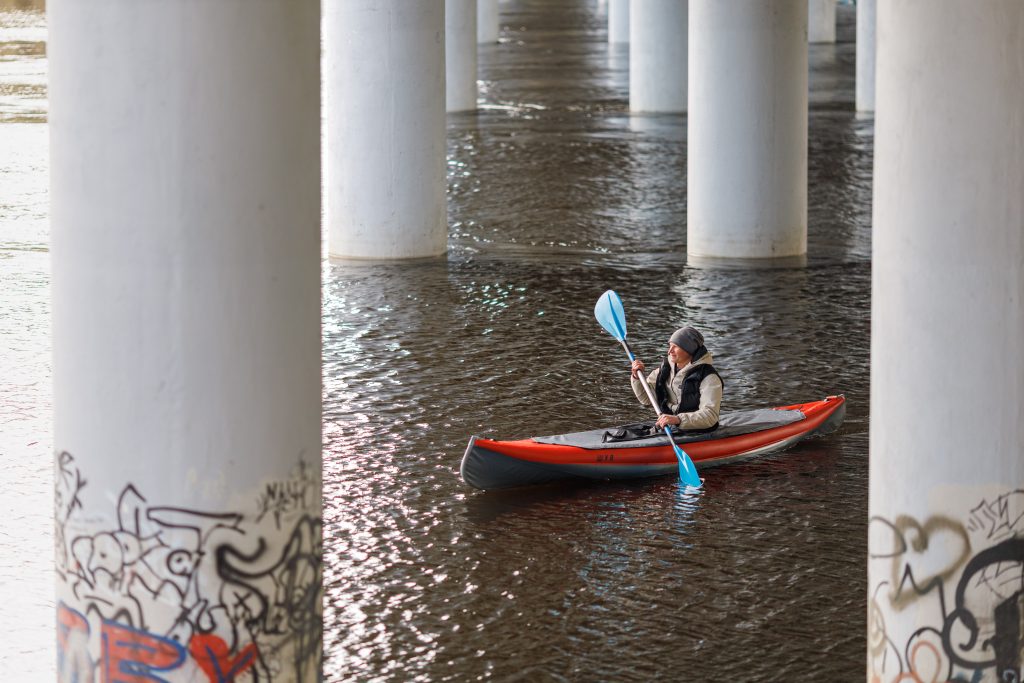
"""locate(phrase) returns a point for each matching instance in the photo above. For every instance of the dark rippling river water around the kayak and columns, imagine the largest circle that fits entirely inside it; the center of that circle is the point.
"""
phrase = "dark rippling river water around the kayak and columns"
(556, 194)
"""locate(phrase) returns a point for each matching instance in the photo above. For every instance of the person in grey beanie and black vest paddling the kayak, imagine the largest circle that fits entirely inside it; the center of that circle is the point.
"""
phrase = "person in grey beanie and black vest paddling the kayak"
(688, 388)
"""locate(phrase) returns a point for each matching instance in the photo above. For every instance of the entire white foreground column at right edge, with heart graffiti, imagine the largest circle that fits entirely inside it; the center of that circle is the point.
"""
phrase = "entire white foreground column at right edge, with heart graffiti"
(948, 344)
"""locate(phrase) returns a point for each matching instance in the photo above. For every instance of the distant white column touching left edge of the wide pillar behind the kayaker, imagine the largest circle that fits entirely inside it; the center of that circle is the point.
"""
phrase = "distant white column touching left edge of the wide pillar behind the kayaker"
(658, 56)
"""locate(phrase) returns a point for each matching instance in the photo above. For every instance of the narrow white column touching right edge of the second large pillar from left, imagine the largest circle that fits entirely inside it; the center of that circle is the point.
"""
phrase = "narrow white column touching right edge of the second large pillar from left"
(460, 56)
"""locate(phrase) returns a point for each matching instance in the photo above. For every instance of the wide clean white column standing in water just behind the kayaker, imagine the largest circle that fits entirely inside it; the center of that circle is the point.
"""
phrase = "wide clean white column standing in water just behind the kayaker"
(748, 130)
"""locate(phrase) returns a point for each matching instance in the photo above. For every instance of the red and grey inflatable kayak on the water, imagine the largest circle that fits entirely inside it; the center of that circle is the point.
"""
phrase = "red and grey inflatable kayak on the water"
(619, 453)
